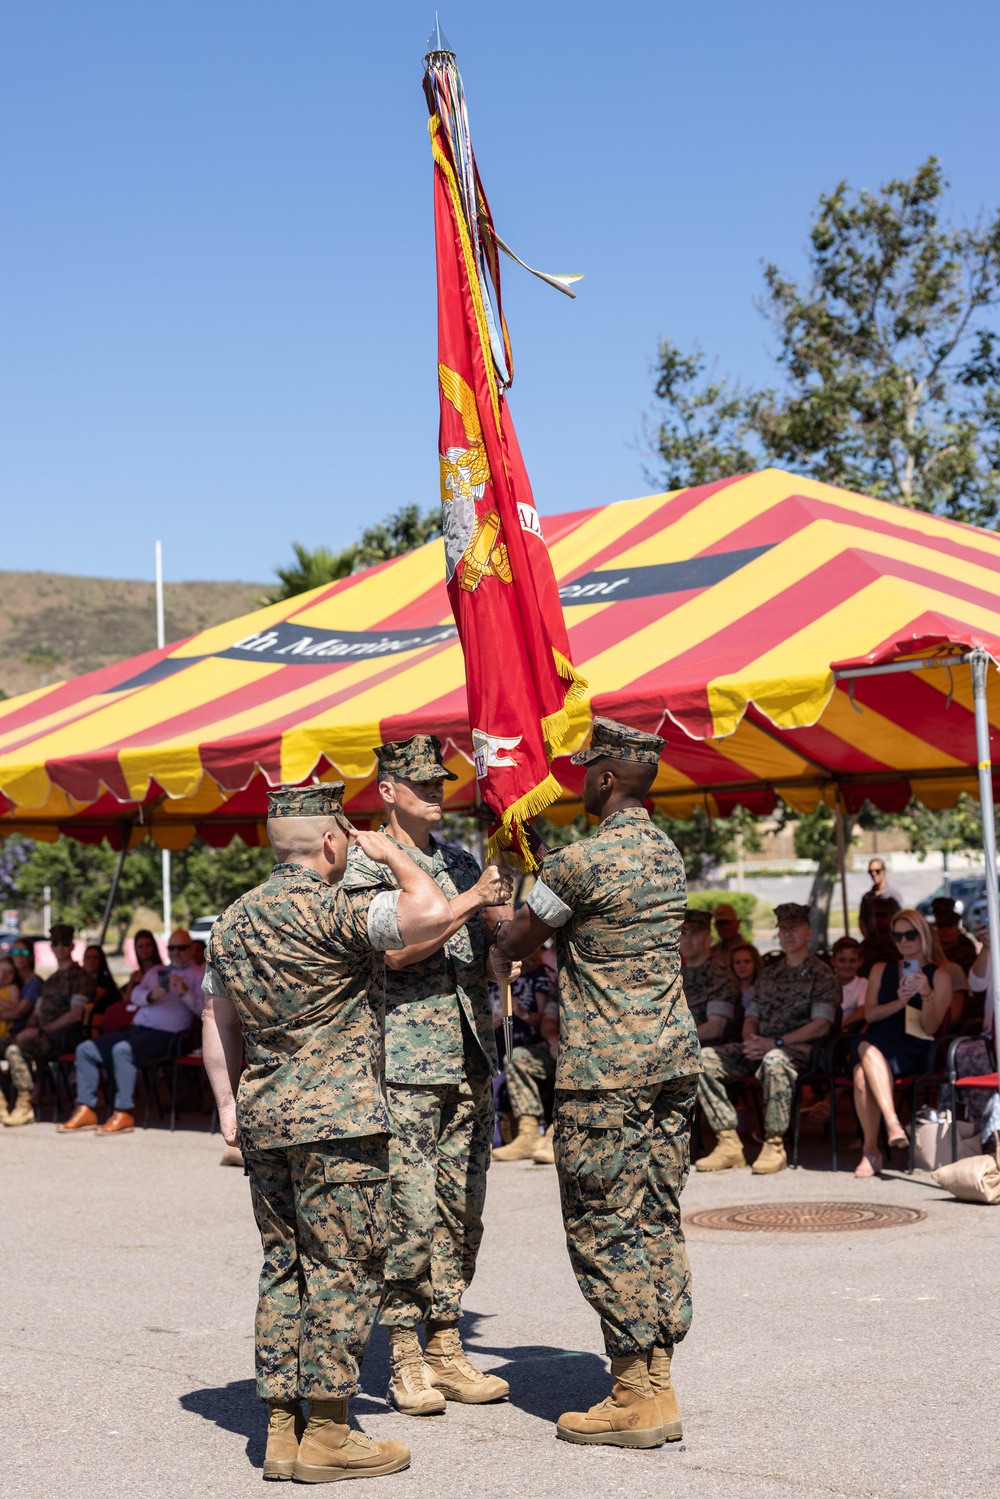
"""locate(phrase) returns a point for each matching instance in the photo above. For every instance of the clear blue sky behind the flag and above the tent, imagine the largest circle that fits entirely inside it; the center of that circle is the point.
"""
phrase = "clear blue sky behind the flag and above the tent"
(217, 272)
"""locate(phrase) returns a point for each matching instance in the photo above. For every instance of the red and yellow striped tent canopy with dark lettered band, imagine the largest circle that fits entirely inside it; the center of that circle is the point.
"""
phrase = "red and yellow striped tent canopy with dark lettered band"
(714, 615)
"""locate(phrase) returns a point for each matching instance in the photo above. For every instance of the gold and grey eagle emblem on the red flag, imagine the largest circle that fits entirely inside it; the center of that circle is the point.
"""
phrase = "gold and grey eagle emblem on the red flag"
(466, 473)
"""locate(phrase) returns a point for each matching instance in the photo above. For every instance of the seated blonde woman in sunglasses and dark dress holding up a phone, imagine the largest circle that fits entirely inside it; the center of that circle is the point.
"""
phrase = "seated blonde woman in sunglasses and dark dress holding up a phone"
(906, 1002)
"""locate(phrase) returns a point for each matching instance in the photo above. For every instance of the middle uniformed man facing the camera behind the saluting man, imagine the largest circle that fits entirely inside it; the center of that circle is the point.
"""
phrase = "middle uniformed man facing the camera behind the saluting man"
(440, 1064)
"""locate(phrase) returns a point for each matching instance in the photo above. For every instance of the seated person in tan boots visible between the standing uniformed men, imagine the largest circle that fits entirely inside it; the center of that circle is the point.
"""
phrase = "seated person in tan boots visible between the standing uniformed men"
(533, 1059)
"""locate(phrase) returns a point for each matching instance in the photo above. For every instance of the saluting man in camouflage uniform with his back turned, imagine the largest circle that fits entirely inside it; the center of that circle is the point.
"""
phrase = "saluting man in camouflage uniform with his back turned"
(295, 977)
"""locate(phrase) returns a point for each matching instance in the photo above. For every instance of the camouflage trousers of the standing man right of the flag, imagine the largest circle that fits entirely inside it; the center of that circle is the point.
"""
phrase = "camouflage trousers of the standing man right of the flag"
(623, 1158)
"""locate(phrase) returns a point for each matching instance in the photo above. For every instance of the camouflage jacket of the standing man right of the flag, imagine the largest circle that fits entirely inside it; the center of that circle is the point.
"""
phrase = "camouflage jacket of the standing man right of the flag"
(617, 902)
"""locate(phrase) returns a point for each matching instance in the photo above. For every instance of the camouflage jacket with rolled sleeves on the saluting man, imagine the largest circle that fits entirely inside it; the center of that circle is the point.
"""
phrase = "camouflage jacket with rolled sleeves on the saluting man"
(304, 968)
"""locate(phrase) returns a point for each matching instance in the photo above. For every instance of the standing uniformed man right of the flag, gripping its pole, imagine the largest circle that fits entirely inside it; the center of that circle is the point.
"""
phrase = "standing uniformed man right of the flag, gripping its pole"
(626, 1082)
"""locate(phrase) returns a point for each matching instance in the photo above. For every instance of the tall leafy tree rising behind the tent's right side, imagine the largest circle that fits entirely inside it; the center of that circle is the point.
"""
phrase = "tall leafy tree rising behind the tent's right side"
(888, 355)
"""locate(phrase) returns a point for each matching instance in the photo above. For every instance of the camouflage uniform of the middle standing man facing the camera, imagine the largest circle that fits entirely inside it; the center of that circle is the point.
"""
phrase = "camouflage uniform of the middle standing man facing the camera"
(440, 1061)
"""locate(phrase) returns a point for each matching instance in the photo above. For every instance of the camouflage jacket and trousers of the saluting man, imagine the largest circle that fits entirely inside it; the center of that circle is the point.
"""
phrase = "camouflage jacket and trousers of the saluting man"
(299, 960)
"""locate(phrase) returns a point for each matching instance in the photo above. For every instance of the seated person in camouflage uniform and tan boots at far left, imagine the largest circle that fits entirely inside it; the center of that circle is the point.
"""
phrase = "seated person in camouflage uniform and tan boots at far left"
(56, 1025)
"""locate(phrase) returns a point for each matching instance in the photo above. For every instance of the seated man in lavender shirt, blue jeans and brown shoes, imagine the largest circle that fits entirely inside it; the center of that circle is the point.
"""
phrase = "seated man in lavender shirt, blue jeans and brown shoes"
(167, 999)
